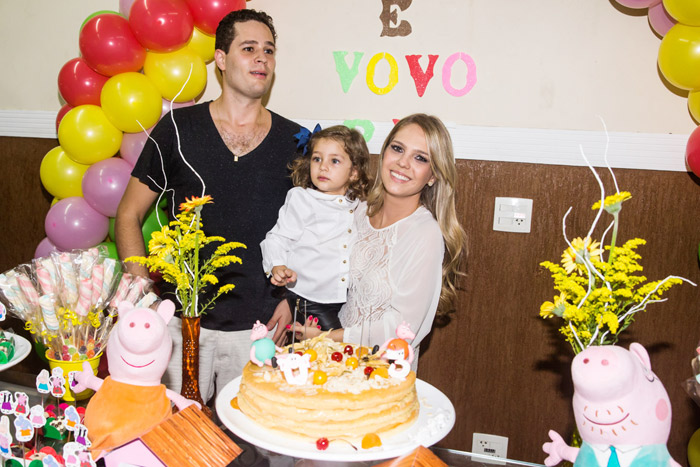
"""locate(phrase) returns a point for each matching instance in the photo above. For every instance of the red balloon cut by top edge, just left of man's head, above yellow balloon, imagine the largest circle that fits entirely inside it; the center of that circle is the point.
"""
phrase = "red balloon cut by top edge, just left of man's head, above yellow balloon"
(161, 25)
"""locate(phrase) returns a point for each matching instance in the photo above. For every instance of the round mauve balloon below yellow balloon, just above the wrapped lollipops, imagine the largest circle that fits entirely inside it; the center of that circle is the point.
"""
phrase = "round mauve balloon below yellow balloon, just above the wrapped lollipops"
(71, 223)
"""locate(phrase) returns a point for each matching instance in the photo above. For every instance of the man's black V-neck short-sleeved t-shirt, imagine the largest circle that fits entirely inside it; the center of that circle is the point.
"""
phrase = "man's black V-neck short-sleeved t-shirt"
(247, 195)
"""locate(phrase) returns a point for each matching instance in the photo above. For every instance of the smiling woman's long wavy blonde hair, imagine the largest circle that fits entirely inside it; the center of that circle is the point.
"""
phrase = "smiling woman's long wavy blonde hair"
(439, 199)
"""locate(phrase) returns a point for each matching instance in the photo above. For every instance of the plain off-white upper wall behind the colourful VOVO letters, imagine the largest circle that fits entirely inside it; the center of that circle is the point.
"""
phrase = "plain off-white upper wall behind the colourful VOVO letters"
(541, 64)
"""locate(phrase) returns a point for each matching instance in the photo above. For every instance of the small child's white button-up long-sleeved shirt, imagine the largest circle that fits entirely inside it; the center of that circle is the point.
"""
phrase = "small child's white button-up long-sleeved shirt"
(312, 237)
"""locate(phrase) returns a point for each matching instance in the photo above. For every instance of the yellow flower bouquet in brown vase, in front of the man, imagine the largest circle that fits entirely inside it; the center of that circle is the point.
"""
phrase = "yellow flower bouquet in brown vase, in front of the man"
(175, 253)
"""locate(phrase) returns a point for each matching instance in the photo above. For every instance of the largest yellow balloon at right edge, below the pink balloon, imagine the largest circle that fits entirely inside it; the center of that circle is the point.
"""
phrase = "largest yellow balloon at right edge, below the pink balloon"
(679, 57)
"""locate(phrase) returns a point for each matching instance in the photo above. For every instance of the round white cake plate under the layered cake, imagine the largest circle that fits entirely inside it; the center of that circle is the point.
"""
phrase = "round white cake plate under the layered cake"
(435, 420)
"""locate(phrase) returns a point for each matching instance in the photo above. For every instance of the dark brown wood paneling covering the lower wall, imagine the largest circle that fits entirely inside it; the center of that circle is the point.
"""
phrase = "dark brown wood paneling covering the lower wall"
(505, 369)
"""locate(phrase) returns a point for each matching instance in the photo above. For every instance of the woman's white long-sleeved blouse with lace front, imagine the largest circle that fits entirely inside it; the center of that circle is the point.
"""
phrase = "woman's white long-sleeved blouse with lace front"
(395, 276)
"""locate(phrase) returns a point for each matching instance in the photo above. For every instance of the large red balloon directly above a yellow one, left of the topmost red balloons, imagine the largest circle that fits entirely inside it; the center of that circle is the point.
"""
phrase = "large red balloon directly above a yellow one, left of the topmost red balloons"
(109, 47)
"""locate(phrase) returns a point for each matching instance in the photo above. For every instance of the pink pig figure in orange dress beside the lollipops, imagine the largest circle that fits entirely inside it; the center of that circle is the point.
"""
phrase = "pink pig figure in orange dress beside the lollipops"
(132, 400)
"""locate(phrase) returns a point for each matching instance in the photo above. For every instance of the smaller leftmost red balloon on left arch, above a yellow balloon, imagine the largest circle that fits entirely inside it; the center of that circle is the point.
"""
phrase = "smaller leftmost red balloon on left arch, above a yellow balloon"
(79, 84)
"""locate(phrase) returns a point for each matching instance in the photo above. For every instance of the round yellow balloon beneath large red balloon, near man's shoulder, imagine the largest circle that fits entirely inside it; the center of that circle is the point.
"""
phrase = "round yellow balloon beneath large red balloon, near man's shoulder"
(129, 99)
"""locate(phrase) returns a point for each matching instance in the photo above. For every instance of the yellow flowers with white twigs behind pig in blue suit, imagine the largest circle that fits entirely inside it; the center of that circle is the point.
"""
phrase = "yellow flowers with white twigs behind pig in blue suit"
(600, 287)
